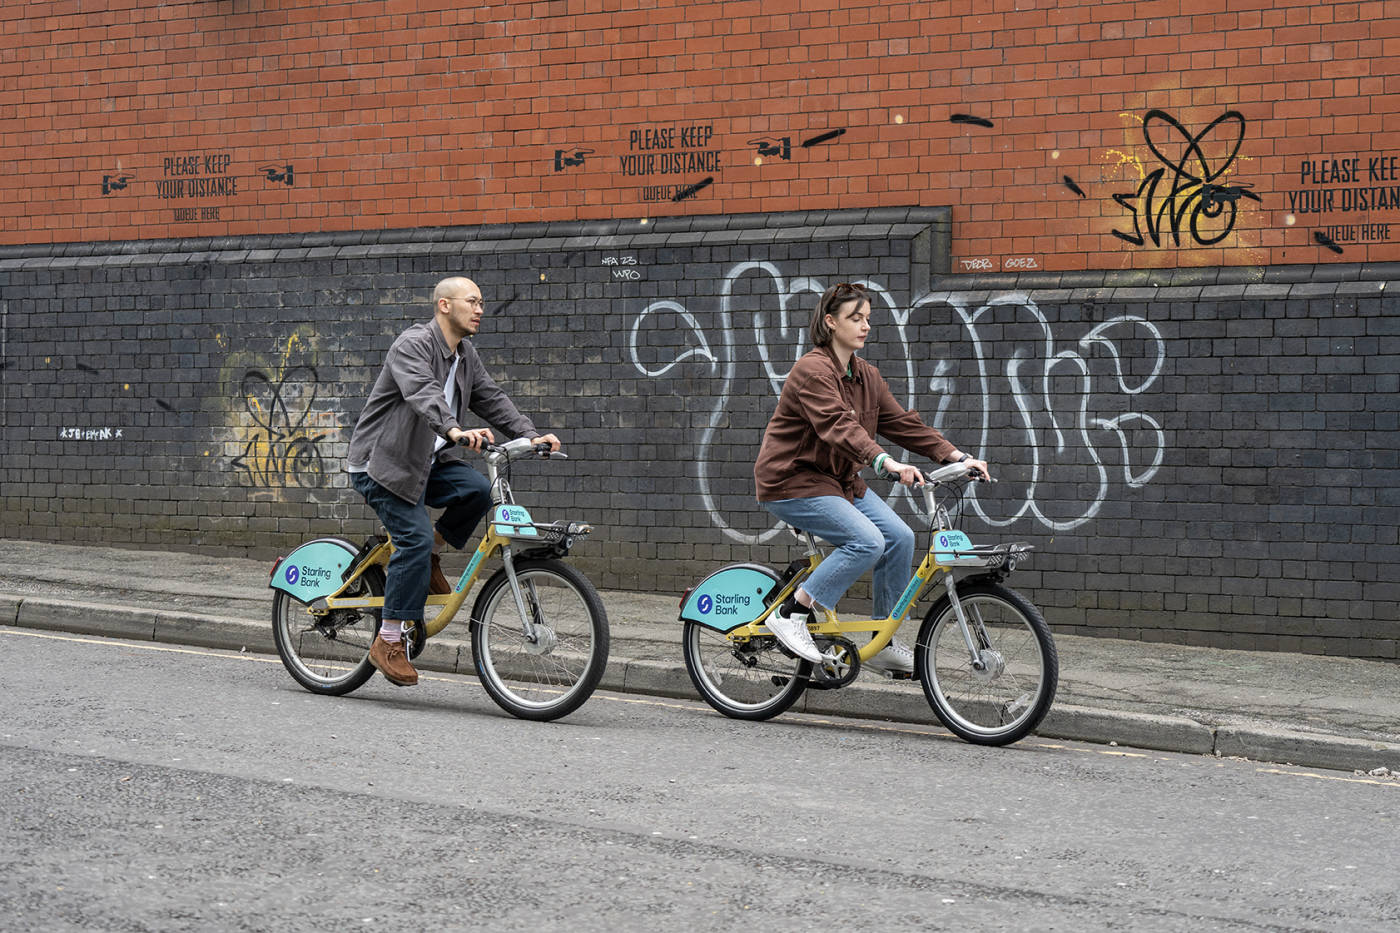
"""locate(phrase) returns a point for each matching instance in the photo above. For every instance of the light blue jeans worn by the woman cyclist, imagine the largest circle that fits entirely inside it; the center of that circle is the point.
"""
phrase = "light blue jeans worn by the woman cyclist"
(867, 534)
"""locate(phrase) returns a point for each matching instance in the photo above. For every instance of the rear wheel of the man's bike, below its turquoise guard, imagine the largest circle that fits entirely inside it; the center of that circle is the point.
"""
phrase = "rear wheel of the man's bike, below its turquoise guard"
(328, 655)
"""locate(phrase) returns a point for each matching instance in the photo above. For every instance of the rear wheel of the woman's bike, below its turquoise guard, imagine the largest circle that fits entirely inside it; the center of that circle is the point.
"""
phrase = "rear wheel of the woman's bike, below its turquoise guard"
(744, 680)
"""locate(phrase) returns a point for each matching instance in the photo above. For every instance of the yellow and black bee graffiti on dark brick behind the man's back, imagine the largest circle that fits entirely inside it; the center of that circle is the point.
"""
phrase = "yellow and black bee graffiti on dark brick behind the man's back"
(278, 431)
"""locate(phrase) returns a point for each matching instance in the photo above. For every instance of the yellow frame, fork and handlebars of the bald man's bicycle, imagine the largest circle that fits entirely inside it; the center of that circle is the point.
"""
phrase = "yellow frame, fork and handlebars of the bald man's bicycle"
(500, 534)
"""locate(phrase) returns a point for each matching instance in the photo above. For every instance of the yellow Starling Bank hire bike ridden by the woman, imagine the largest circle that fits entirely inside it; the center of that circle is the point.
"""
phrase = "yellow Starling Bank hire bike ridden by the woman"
(983, 655)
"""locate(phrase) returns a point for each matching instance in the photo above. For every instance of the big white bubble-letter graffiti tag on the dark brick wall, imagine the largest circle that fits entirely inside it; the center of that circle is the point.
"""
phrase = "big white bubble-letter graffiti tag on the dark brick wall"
(1062, 396)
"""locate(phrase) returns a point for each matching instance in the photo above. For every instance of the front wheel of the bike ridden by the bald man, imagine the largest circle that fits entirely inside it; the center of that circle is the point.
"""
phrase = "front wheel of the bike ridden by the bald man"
(554, 670)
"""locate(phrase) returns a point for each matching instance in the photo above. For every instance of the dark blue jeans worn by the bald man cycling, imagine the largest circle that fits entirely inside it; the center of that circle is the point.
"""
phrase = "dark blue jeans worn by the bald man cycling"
(463, 492)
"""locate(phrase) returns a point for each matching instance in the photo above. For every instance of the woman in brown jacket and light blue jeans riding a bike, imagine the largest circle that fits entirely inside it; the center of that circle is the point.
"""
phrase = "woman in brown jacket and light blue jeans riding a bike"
(821, 436)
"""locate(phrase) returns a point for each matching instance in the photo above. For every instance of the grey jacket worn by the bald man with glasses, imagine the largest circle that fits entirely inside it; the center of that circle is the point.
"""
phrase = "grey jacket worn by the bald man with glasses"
(407, 411)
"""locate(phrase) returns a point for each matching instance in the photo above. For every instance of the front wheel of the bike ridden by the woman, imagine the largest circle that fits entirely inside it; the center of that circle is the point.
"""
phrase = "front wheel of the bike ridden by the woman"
(1009, 691)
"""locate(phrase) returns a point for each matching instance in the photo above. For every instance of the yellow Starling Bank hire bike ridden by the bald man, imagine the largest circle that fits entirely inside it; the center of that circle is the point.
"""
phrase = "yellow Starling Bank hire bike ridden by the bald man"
(540, 631)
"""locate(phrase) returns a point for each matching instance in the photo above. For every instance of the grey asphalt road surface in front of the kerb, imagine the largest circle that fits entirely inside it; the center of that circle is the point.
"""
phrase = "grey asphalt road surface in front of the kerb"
(155, 788)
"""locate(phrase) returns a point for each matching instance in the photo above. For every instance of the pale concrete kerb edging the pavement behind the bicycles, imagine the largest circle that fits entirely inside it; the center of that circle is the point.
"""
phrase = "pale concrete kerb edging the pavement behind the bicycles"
(890, 703)
